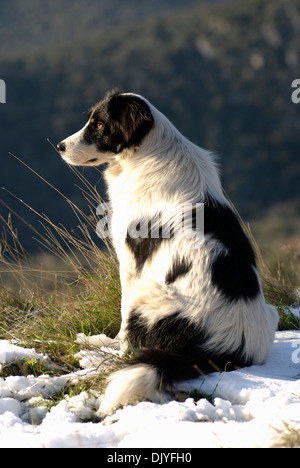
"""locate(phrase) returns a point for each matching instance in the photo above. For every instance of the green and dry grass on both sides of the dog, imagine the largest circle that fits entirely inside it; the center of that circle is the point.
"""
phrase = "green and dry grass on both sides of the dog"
(74, 288)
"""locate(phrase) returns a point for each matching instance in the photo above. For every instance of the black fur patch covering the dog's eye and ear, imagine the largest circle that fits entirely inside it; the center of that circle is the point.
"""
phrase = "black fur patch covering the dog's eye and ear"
(125, 120)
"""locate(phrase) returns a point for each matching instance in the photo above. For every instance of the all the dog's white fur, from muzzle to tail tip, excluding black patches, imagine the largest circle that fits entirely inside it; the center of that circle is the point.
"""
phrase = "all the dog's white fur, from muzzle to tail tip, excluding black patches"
(163, 173)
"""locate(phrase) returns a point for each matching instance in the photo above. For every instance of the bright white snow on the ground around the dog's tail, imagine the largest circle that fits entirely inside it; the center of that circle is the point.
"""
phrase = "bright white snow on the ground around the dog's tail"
(251, 407)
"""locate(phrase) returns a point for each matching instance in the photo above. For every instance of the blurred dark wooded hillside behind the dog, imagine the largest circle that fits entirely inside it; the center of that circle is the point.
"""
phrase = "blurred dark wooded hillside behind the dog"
(221, 71)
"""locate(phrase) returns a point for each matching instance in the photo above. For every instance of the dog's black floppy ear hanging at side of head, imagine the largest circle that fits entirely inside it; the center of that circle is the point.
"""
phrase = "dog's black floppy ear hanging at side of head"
(130, 120)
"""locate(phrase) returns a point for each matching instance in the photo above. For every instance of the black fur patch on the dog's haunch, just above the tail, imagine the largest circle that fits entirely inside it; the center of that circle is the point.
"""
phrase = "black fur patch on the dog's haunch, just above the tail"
(176, 348)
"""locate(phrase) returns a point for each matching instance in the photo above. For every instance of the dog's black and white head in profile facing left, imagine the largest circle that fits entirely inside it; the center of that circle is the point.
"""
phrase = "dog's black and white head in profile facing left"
(119, 121)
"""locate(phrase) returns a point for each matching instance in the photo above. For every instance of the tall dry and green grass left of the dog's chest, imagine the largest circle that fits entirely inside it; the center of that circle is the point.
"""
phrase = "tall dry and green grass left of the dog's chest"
(45, 302)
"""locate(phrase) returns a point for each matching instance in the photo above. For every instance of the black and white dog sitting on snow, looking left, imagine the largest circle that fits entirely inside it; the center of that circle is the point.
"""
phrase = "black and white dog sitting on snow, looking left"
(189, 306)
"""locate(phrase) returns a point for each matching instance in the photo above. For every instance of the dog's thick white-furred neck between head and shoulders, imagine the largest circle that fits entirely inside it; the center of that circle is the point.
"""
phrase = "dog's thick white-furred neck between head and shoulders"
(165, 166)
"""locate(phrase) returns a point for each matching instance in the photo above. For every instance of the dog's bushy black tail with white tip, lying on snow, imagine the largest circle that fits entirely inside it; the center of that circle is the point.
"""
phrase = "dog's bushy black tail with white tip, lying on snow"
(149, 377)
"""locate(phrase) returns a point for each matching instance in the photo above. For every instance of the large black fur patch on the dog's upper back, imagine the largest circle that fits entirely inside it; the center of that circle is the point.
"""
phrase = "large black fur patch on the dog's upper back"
(232, 271)
